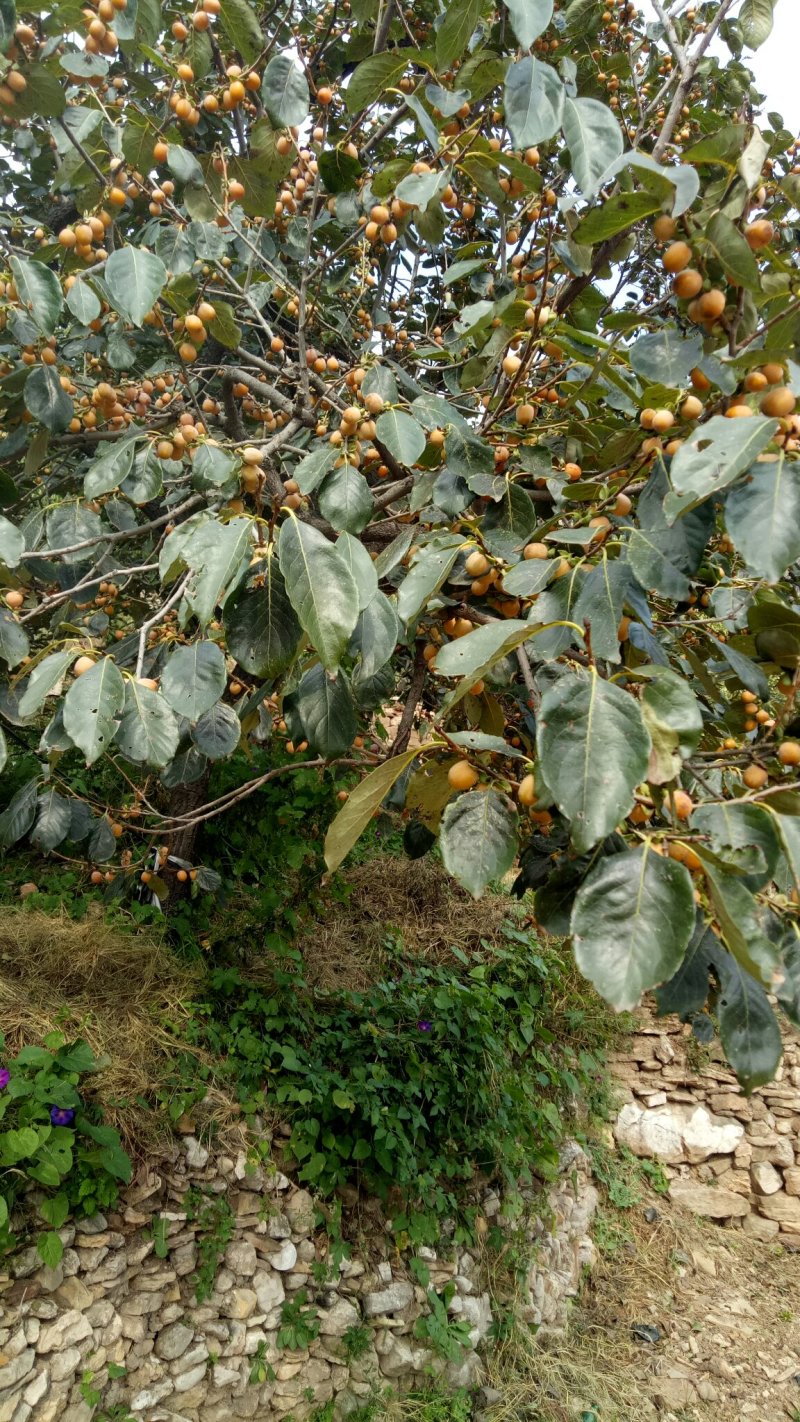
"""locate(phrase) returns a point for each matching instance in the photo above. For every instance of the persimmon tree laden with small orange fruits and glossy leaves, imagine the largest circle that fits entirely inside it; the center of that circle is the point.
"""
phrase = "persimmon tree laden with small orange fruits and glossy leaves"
(434, 358)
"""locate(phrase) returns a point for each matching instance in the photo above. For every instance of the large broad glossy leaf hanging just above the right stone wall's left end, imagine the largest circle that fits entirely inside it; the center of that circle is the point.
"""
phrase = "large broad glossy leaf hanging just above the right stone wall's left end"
(632, 924)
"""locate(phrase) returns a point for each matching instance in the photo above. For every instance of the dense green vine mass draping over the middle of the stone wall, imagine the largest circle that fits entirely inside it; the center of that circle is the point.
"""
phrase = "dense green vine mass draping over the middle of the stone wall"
(416, 1084)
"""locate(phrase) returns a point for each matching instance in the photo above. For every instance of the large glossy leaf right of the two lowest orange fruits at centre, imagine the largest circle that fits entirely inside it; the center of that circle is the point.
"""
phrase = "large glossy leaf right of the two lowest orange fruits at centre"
(595, 750)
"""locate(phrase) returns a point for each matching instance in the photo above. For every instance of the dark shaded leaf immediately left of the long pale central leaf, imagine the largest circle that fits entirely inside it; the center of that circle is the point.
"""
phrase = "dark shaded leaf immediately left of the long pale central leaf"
(261, 625)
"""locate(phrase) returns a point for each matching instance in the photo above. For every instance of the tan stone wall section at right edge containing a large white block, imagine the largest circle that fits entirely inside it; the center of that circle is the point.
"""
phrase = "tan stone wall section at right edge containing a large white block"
(728, 1157)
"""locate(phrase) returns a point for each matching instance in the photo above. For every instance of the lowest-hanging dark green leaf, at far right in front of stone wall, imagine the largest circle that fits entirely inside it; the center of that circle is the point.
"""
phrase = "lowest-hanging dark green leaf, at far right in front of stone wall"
(748, 1026)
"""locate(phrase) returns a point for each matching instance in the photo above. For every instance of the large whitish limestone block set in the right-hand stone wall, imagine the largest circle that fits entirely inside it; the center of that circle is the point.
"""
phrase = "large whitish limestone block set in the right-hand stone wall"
(677, 1134)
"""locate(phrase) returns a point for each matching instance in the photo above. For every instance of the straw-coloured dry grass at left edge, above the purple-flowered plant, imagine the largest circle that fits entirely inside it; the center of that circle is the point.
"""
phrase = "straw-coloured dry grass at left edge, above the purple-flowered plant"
(121, 992)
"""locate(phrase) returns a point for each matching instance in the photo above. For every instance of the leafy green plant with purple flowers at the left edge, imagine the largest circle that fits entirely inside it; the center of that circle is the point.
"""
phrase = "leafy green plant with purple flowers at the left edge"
(52, 1140)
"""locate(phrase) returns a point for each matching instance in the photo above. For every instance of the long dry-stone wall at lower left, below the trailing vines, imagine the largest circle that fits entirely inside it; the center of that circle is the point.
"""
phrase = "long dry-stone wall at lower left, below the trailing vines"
(113, 1302)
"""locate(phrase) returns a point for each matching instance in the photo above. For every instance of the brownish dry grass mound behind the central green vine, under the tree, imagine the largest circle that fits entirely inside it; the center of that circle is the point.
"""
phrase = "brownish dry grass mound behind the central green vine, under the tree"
(411, 901)
